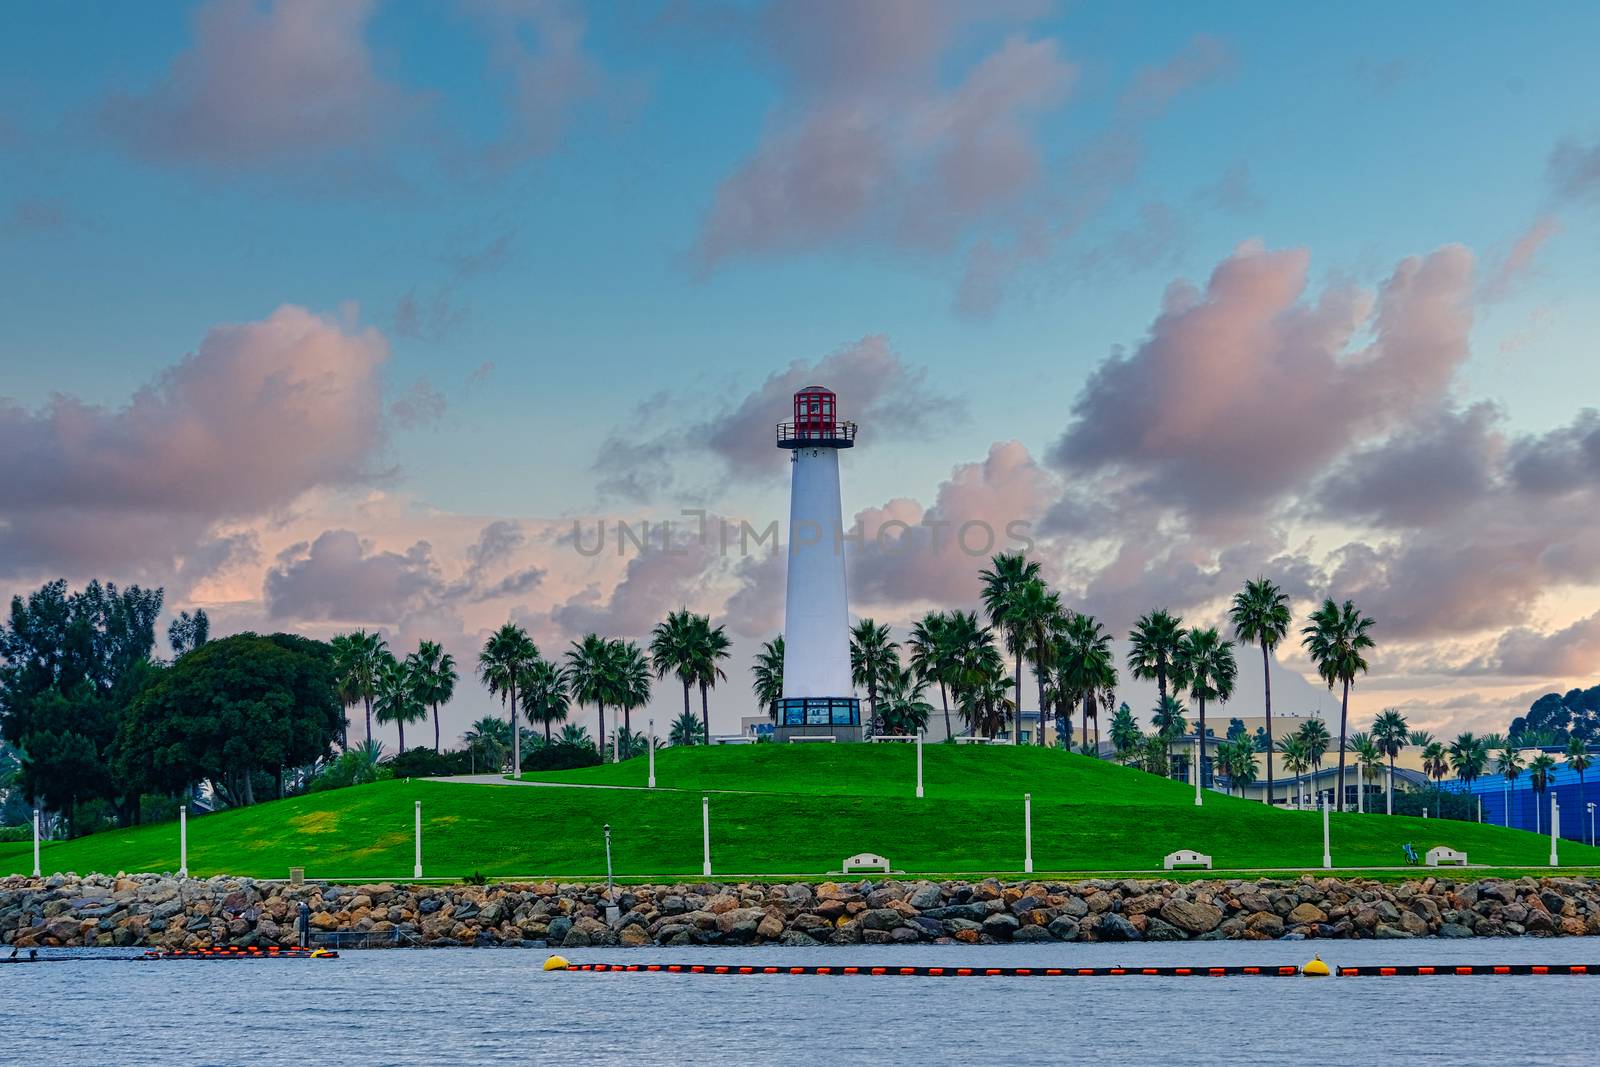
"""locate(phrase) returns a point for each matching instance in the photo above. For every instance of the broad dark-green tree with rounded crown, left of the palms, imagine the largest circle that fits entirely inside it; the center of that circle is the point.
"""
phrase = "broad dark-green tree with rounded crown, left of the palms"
(231, 709)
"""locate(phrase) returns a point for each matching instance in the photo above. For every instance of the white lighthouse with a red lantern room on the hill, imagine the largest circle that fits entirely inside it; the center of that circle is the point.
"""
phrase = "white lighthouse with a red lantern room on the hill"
(818, 695)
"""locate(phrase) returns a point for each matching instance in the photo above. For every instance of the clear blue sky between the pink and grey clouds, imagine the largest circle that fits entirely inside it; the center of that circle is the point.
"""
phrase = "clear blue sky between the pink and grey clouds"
(574, 262)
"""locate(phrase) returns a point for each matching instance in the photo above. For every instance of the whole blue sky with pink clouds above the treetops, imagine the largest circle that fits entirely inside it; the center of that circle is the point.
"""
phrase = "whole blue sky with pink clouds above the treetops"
(350, 314)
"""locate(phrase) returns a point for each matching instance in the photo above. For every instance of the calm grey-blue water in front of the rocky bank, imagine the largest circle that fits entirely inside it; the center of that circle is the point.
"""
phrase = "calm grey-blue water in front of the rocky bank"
(479, 1007)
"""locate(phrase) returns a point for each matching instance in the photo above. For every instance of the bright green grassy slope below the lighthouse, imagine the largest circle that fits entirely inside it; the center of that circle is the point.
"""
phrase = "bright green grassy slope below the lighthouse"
(806, 809)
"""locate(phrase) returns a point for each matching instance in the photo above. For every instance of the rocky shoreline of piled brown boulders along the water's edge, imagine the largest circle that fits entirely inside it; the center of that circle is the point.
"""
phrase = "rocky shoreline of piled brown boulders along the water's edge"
(162, 911)
